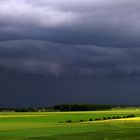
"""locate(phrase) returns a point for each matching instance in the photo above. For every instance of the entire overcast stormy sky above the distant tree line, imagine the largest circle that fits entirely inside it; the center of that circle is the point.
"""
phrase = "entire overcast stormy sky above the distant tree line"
(91, 47)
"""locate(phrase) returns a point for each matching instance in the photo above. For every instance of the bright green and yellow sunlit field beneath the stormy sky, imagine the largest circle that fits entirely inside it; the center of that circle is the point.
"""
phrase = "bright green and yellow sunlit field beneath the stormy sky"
(53, 126)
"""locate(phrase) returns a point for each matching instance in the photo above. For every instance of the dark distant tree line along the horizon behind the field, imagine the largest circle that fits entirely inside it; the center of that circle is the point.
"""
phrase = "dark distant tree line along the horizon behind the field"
(67, 107)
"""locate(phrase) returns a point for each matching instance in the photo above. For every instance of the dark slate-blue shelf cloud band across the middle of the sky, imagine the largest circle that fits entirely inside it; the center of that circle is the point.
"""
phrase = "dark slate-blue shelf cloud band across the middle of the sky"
(41, 57)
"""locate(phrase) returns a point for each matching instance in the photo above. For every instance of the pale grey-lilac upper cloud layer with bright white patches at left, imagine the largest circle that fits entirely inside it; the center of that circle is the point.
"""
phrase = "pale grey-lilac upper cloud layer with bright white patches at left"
(97, 22)
